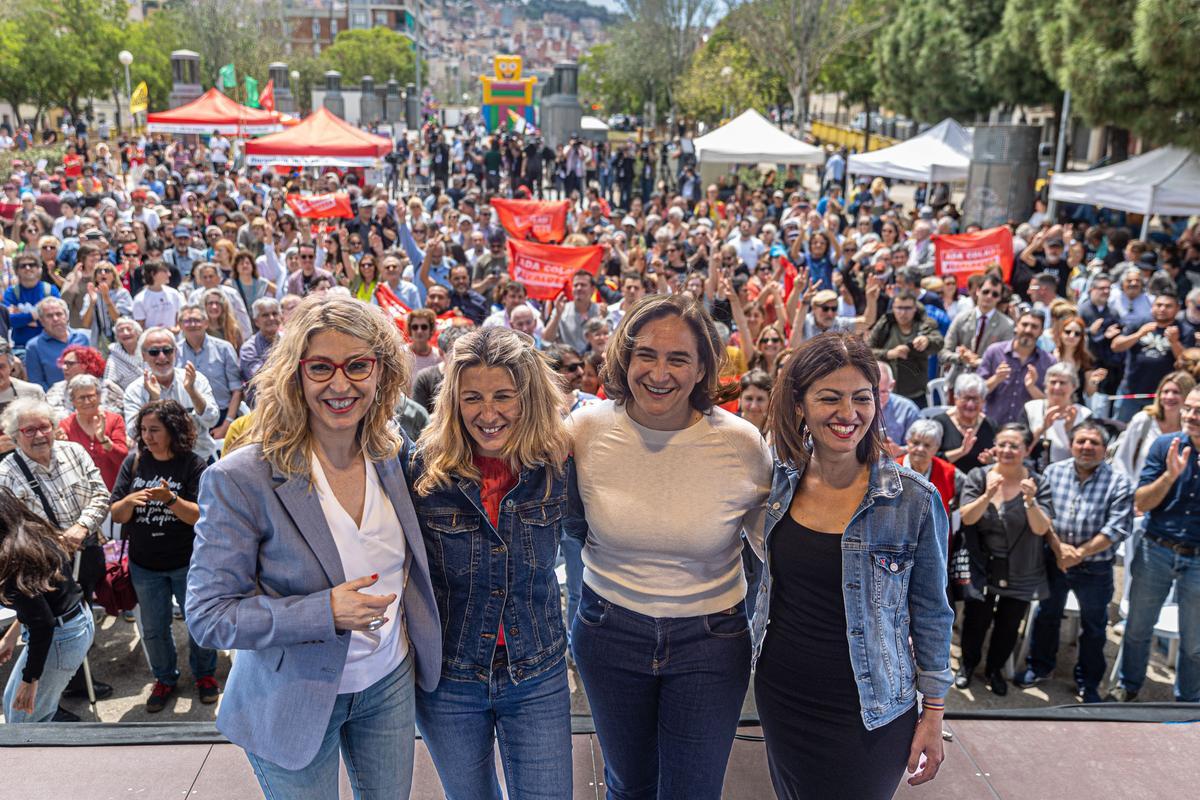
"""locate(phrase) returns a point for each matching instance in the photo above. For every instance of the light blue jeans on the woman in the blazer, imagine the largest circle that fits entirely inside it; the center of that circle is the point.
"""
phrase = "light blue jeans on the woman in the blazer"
(374, 732)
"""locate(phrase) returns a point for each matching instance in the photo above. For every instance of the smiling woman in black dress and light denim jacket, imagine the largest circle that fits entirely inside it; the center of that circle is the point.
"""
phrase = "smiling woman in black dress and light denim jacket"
(855, 568)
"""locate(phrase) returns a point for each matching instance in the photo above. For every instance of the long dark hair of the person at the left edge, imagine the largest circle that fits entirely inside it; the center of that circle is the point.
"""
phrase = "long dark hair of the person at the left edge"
(31, 555)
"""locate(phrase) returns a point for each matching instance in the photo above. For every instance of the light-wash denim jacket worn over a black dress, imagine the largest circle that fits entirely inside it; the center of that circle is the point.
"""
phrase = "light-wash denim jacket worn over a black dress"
(893, 562)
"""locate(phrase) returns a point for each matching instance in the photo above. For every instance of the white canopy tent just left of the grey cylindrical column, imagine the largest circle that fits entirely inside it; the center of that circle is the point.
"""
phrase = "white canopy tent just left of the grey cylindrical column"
(940, 154)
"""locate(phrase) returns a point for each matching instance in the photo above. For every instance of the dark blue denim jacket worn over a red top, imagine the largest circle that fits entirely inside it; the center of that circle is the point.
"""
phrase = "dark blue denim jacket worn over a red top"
(484, 575)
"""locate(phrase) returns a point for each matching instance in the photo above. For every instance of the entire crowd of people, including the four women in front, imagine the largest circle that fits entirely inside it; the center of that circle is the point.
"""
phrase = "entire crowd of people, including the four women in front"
(189, 368)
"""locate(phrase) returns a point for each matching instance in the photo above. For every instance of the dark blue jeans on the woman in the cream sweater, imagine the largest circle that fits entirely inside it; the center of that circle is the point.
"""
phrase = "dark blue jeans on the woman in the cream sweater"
(667, 696)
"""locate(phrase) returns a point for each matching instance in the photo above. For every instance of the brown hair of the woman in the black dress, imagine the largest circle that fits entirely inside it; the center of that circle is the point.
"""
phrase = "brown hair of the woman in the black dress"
(814, 360)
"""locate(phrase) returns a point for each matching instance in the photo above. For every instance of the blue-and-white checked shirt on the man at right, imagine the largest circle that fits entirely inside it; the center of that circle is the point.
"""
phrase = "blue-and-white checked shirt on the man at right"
(1103, 504)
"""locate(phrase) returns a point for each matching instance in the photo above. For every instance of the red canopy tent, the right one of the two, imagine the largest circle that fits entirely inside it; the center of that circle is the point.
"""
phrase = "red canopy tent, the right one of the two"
(322, 140)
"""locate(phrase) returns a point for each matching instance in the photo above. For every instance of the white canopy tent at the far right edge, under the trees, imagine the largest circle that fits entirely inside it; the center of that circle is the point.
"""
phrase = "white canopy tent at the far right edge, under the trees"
(1161, 182)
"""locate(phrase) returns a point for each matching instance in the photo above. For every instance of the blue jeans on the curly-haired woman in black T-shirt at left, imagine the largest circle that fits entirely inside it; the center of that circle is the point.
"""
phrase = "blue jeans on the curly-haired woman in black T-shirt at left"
(155, 590)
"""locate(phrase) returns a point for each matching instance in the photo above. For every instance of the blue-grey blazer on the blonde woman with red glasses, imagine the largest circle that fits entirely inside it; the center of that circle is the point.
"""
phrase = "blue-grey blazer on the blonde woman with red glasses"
(263, 566)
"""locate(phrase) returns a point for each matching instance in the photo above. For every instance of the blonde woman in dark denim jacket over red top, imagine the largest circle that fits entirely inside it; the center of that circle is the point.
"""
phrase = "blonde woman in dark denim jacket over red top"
(490, 491)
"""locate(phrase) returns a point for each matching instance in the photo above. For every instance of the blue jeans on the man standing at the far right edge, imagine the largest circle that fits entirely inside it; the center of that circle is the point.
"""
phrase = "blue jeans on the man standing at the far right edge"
(1155, 569)
